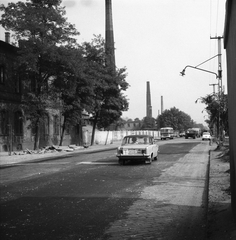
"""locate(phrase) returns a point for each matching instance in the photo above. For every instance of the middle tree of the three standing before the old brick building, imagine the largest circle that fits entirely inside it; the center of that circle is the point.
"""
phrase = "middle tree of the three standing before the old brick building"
(71, 88)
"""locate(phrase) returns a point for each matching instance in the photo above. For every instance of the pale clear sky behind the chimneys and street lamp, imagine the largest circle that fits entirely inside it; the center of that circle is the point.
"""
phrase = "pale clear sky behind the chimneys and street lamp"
(155, 40)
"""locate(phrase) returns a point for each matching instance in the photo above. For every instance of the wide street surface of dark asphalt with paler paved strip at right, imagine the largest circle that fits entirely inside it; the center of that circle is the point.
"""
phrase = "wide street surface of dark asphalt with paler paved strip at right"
(91, 196)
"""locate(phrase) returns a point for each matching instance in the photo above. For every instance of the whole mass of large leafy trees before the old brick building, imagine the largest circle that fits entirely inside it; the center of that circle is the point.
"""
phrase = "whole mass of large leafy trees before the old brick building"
(57, 73)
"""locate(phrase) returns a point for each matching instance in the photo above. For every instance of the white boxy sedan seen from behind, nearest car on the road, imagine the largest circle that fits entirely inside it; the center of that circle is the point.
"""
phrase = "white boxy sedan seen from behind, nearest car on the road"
(138, 148)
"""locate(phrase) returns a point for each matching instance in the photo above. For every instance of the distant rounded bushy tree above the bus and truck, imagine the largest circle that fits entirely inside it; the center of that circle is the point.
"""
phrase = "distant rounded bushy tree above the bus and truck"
(174, 118)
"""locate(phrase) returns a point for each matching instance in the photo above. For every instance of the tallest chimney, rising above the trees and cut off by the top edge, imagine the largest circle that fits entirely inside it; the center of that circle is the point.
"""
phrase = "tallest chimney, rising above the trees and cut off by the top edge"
(109, 37)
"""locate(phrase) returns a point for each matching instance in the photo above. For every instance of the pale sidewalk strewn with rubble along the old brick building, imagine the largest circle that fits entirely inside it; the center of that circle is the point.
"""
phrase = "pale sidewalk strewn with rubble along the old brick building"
(5, 159)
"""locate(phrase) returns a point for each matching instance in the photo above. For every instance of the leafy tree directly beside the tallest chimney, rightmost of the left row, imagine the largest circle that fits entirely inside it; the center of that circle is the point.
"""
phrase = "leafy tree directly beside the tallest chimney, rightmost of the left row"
(107, 100)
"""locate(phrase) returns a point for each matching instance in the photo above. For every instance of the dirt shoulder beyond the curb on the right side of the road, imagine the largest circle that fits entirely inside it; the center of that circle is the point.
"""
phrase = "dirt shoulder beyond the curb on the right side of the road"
(221, 224)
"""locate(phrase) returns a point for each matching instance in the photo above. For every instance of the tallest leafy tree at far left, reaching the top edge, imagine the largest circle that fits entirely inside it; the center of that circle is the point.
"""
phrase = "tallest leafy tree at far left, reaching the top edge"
(40, 27)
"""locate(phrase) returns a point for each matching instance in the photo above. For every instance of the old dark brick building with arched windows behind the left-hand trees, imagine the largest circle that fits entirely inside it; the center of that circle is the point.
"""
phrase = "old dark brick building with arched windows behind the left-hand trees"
(15, 133)
